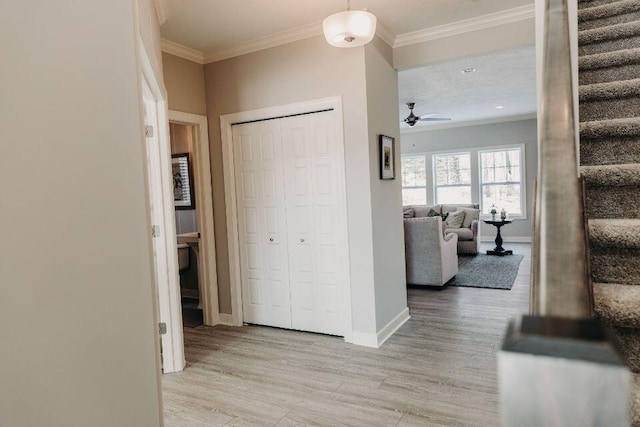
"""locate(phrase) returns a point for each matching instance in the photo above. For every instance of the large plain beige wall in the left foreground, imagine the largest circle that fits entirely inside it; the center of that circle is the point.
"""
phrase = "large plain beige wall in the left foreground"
(78, 346)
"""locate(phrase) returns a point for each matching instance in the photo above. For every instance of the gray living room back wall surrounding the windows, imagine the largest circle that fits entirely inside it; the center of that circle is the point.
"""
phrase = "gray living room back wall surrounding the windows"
(490, 135)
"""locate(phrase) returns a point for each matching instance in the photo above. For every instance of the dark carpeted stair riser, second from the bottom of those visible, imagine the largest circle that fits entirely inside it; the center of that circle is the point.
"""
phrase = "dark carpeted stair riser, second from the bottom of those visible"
(616, 266)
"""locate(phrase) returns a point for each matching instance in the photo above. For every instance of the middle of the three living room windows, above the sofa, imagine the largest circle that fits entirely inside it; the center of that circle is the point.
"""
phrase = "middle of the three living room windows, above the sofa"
(452, 178)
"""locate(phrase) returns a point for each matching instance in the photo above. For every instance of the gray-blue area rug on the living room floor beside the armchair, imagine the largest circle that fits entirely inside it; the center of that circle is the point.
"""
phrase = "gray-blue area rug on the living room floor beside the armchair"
(487, 271)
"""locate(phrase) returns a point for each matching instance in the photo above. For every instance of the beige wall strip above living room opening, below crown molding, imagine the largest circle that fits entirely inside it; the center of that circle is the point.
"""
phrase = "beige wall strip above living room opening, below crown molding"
(506, 36)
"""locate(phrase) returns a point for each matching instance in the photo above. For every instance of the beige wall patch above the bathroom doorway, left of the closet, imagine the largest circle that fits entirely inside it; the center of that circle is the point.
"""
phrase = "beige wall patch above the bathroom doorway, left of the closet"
(184, 80)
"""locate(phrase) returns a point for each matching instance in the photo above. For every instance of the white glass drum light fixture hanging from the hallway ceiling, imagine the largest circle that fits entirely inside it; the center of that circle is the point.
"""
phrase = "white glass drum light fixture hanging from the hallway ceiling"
(350, 28)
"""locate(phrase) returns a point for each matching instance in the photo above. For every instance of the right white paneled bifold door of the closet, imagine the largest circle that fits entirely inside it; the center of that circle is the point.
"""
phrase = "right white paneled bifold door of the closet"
(312, 204)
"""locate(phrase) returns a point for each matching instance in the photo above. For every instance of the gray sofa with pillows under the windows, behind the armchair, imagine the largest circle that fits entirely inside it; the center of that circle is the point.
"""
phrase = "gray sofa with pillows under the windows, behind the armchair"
(468, 234)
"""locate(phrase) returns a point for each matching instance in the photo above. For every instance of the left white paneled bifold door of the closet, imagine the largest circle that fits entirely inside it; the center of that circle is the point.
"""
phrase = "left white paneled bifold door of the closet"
(262, 224)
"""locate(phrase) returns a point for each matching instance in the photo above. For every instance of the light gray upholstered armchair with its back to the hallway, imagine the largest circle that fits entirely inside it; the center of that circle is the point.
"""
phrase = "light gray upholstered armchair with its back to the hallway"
(431, 257)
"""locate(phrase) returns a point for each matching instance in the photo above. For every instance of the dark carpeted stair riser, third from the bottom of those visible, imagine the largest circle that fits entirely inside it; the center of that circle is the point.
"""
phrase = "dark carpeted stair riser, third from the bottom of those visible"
(613, 202)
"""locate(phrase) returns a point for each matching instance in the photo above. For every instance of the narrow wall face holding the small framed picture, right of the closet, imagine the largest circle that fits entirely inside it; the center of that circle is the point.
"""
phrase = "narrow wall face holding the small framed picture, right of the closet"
(386, 195)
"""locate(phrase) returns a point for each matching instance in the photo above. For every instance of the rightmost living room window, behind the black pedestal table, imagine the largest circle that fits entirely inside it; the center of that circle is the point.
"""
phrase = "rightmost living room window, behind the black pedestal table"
(501, 177)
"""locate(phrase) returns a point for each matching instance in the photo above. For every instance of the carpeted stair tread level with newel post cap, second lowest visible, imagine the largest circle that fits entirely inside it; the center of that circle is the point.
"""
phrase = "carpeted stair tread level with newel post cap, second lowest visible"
(617, 304)
